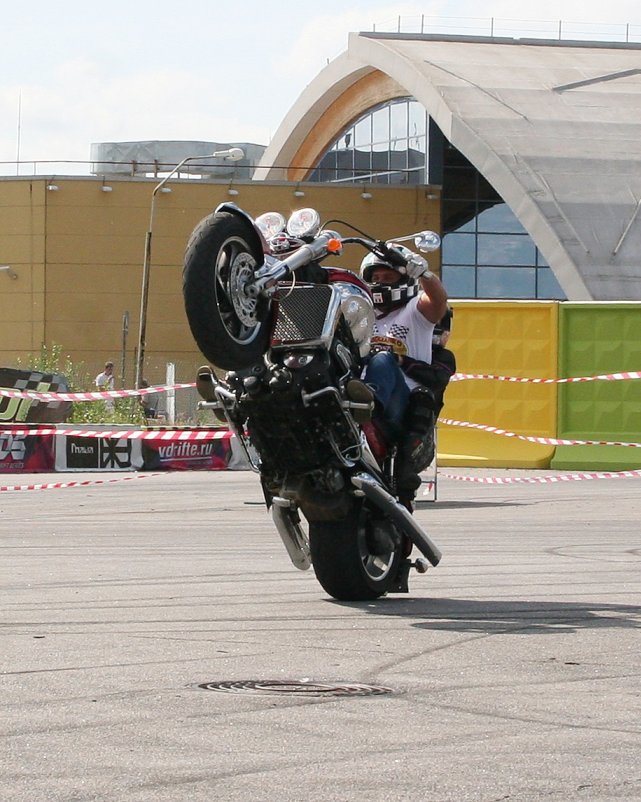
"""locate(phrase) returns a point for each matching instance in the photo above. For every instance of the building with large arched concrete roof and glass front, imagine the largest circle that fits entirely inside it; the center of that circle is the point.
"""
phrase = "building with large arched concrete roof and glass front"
(536, 145)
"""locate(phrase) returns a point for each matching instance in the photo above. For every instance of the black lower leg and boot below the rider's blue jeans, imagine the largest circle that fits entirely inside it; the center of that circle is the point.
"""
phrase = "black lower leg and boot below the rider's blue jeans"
(416, 445)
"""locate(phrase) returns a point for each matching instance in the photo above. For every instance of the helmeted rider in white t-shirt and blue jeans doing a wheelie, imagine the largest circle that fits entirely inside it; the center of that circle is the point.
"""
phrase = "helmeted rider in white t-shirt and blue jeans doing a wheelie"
(409, 302)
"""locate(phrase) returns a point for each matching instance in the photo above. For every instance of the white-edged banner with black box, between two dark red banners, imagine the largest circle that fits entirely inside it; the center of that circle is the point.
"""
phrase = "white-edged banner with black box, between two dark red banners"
(97, 454)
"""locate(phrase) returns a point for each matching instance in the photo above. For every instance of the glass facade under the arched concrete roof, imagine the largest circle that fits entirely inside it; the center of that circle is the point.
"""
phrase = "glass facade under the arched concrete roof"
(486, 252)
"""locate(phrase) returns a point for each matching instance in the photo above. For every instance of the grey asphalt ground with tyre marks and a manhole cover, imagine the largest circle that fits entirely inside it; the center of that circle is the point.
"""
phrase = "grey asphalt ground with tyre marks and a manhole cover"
(513, 668)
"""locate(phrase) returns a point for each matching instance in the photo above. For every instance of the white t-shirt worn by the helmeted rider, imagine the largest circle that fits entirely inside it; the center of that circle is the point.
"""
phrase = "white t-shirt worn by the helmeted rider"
(406, 332)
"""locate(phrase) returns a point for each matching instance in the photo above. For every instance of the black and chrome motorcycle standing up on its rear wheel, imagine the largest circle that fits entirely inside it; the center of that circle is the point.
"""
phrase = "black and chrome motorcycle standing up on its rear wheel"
(292, 335)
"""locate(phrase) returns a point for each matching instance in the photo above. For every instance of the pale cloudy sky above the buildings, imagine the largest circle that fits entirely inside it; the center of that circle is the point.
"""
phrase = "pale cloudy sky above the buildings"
(73, 73)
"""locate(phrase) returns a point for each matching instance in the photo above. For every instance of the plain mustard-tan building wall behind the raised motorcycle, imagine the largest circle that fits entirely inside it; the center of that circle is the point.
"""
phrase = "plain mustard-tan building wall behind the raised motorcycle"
(78, 253)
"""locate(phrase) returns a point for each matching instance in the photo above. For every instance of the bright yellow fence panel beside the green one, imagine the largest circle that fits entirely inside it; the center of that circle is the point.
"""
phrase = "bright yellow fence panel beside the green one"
(506, 338)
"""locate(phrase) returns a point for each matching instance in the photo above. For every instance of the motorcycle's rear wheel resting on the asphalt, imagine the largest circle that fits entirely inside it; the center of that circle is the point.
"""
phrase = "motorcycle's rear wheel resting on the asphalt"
(356, 558)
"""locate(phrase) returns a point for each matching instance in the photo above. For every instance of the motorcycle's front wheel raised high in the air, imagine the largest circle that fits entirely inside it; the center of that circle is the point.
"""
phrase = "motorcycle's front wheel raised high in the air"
(230, 328)
